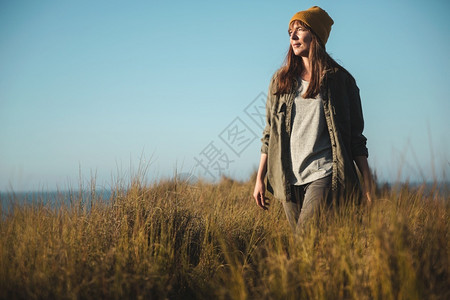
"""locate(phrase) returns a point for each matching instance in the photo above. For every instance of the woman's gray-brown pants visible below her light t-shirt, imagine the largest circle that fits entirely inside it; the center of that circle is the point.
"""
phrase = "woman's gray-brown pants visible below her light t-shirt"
(305, 202)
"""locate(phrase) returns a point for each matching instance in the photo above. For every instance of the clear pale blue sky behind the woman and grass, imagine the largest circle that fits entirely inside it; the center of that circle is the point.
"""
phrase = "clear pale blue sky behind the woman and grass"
(96, 88)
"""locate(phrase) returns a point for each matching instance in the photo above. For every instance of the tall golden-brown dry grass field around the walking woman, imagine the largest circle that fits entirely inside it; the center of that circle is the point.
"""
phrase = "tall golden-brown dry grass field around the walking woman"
(175, 240)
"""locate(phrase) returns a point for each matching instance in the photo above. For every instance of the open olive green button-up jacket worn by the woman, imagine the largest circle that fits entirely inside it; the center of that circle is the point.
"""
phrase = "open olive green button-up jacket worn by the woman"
(344, 118)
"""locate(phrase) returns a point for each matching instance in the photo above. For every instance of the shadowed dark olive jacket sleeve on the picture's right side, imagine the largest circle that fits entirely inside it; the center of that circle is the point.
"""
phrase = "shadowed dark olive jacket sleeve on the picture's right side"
(358, 140)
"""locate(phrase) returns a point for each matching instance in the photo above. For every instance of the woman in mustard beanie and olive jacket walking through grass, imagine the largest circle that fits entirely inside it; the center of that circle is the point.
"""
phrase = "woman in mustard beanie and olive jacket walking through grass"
(314, 126)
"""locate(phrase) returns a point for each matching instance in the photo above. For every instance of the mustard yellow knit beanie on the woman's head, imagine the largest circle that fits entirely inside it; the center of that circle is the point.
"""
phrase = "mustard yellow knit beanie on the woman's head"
(318, 20)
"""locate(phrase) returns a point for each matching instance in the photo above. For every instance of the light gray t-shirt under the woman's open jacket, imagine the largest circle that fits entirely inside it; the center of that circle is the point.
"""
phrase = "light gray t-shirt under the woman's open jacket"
(310, 144)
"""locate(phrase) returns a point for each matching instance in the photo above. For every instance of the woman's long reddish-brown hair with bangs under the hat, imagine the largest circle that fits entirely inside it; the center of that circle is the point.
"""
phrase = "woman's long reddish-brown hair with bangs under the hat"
(321, 62)
